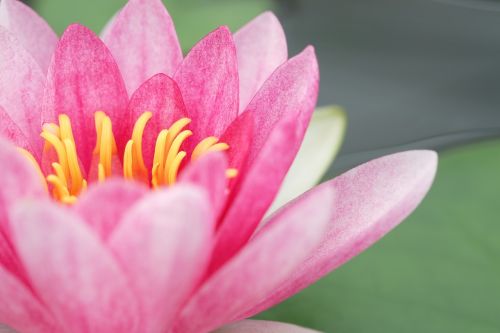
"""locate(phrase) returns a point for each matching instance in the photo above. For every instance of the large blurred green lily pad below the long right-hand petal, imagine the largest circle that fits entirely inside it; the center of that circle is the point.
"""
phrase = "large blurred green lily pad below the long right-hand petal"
(437, 272)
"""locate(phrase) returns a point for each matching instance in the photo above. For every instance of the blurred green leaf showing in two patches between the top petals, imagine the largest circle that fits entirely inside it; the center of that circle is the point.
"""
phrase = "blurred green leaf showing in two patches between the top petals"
(193, 18)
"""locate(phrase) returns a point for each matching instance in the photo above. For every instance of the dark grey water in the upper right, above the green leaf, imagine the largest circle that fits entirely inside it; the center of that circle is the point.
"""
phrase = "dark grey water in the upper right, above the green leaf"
(411, 74)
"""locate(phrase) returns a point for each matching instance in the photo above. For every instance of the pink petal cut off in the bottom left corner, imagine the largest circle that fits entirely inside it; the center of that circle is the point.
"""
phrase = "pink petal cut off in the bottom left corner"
(20, 309)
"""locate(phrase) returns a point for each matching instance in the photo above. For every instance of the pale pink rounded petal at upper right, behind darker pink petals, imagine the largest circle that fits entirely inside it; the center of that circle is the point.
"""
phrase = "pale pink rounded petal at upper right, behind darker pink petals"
(261, 48)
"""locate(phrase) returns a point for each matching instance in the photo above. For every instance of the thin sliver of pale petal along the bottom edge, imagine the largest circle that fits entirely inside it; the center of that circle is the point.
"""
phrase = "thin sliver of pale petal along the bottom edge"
(262, 326)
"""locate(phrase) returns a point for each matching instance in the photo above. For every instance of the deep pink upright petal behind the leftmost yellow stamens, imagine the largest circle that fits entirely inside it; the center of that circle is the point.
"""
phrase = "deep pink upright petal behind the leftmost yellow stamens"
(84, 78)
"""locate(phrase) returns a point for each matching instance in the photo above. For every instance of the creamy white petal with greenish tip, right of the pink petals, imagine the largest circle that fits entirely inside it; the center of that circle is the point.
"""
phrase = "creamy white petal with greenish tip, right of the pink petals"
(321, 144)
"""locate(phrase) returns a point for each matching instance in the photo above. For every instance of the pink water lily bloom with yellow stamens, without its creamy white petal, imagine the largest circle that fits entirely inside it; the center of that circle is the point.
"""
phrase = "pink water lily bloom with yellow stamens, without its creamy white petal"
(85, 249)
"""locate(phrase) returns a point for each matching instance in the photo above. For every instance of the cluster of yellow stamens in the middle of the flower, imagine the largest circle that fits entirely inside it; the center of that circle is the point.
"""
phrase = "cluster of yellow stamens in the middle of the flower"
(66, 181)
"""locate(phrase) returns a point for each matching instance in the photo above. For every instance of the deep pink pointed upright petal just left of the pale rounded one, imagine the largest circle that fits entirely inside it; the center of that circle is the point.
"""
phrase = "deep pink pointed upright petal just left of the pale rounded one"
(208, 79)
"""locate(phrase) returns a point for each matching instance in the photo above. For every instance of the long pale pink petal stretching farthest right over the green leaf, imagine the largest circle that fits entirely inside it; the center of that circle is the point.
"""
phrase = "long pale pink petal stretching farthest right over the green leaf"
(371, 200)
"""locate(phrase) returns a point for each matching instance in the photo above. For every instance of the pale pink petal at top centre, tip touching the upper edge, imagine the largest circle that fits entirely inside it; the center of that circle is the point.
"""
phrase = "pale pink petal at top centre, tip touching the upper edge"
(143, 41)
